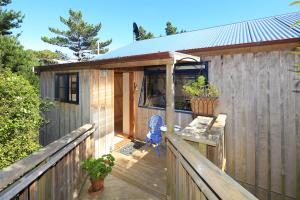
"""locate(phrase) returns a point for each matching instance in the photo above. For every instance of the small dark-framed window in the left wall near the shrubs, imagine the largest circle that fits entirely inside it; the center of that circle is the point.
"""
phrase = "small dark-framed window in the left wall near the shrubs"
(67, 87)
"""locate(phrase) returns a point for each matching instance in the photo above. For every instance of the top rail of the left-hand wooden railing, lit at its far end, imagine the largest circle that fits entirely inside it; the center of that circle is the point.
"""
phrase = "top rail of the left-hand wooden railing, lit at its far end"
(12, 173)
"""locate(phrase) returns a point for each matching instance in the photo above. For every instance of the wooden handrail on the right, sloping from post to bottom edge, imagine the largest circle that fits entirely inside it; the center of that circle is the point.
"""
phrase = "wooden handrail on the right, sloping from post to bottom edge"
(223, 186)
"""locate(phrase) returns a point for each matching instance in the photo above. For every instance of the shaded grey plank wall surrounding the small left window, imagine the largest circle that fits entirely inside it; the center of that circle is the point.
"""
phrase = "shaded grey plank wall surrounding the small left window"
(64, 117)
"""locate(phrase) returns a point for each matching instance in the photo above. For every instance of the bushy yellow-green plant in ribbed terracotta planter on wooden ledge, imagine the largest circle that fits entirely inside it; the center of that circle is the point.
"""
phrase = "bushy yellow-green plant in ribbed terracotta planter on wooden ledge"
(204, 97)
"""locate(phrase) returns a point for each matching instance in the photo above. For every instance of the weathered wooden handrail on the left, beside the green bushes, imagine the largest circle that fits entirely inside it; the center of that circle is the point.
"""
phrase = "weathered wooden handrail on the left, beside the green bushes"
(47, 155)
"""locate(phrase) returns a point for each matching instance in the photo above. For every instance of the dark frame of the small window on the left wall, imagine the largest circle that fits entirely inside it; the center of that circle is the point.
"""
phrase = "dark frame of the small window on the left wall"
(66, 87)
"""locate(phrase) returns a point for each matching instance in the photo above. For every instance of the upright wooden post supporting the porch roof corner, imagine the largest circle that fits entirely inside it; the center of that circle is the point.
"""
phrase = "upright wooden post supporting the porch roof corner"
(170, 91)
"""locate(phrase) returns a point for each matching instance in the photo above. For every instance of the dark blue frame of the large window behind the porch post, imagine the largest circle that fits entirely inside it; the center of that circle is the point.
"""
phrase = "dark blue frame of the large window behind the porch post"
(205, 73)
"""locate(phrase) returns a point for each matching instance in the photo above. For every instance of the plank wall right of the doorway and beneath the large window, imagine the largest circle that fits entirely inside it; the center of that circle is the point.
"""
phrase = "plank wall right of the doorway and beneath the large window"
(143, 114)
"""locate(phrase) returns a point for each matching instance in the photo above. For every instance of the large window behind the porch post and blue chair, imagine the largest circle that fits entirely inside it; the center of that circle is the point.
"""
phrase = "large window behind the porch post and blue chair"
(153, 93)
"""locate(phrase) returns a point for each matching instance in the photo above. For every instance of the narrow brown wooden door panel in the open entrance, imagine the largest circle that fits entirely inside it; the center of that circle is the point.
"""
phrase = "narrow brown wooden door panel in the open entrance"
(118, 99)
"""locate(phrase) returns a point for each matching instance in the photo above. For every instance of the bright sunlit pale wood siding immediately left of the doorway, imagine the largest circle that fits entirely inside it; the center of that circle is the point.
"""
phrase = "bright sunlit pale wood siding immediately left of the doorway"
(102, 109)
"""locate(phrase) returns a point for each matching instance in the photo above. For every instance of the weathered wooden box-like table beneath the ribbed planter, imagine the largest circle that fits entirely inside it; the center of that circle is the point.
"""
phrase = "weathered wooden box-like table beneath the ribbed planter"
(206, 134)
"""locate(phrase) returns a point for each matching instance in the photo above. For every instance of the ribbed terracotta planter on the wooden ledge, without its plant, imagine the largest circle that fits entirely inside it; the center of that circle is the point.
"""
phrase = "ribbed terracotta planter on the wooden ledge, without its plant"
(204, 105)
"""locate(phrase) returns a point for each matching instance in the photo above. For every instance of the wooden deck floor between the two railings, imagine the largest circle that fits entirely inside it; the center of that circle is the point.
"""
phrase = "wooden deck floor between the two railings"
(142, 172)
